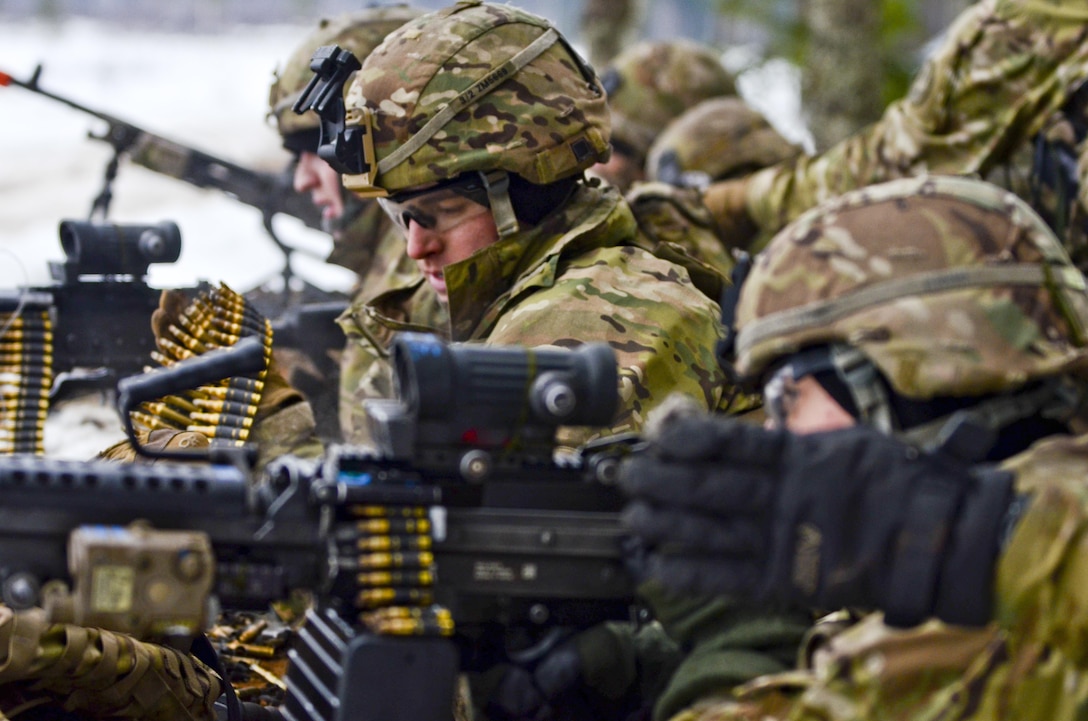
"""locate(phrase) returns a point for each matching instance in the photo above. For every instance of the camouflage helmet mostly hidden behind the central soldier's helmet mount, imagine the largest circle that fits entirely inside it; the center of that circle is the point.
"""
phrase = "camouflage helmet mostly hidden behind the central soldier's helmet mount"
(357, 32)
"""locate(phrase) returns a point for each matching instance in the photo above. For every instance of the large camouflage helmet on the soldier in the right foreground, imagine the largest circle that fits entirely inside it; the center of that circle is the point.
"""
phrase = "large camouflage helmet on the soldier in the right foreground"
(950, 287)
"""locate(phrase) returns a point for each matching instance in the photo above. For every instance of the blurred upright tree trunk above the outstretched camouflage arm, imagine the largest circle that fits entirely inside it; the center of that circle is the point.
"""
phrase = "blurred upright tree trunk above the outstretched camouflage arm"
(843, 74)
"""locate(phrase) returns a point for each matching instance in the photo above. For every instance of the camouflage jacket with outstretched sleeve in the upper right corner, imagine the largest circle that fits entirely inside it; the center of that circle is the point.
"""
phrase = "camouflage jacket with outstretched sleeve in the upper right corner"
(1000, 78)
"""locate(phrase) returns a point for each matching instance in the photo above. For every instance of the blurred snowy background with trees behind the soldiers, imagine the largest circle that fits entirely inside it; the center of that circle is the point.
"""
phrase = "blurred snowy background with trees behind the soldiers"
(199, 72)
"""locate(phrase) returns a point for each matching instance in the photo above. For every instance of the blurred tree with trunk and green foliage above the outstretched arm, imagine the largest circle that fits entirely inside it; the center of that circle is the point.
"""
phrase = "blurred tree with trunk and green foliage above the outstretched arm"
(856, 56)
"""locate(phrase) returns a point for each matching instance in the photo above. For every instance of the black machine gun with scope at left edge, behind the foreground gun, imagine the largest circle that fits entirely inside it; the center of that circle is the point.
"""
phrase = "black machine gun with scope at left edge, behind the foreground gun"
(92, 327)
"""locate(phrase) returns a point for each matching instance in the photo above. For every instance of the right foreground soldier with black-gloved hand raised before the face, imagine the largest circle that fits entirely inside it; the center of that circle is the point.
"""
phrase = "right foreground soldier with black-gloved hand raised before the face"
(922, 350)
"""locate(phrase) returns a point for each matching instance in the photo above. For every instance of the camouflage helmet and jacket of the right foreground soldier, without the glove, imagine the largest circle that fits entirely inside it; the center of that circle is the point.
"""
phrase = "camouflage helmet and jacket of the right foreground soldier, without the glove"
(979, 302)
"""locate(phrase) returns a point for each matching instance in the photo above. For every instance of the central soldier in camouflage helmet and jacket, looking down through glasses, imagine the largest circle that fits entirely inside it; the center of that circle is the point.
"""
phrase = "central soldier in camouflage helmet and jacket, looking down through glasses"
(484, 120)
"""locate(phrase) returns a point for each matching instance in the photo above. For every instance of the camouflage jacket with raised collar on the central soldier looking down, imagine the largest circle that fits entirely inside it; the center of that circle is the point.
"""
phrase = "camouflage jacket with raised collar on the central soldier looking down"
(577, 278)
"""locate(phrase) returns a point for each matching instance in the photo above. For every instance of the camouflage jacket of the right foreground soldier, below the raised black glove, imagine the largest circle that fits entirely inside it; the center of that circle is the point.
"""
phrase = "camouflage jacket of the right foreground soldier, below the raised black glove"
(1031, 664)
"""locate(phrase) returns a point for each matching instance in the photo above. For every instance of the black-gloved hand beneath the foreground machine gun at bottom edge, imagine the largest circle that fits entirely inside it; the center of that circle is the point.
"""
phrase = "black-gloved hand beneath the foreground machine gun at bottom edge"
(588, 677)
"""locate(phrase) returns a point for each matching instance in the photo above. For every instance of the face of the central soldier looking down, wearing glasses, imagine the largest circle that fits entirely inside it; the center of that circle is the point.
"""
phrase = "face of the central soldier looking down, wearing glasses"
(442, 228)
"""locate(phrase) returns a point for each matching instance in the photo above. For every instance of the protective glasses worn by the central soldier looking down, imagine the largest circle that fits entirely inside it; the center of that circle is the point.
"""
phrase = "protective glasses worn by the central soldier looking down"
(441, 208)
